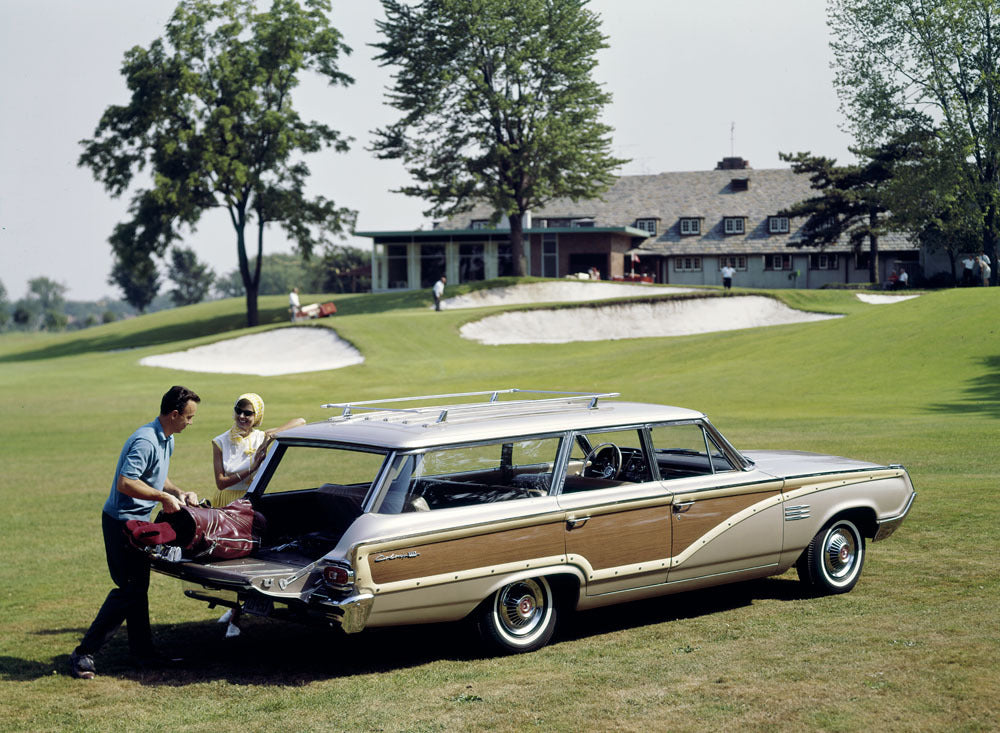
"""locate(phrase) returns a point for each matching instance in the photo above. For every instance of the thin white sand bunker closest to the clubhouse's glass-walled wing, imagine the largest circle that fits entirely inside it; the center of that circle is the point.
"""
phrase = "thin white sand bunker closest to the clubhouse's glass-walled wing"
(555, 292)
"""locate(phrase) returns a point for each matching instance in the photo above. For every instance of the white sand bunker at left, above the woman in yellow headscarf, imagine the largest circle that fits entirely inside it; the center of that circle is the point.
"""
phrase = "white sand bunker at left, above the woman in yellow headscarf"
(281, 351)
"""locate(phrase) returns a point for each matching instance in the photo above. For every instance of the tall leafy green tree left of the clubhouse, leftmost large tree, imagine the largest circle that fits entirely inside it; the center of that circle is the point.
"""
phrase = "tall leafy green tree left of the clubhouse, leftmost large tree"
(211, 119)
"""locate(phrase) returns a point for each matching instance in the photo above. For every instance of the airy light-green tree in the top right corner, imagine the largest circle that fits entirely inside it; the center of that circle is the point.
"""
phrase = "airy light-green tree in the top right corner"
(933, 62)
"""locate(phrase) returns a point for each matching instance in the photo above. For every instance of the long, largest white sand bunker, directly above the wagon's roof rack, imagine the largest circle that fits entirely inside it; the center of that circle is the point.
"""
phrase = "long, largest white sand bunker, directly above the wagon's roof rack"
(635, 320)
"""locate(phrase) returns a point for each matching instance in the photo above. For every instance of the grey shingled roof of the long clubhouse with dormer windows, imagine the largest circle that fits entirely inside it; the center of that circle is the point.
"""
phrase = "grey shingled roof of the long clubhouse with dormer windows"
(709, 196)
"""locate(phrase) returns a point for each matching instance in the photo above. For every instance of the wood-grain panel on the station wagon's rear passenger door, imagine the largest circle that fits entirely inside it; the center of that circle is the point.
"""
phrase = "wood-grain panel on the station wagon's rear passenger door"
(622, 538)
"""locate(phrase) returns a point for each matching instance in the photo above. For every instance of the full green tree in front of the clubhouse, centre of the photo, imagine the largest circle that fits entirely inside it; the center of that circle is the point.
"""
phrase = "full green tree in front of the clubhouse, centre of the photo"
(498, 104)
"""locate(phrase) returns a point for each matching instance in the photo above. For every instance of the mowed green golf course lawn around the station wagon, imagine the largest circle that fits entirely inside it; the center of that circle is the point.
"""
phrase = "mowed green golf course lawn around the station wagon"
(913, 647)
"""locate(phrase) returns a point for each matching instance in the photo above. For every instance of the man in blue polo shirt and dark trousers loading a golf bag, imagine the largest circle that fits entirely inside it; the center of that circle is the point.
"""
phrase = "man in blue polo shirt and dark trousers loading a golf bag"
(140, 483)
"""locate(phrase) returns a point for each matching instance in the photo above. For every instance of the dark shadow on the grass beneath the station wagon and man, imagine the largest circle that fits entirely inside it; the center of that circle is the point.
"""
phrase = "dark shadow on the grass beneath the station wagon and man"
(305, 654)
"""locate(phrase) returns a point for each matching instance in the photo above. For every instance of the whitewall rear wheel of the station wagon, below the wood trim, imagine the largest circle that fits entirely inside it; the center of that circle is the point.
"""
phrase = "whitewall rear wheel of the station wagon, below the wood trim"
(520, 617)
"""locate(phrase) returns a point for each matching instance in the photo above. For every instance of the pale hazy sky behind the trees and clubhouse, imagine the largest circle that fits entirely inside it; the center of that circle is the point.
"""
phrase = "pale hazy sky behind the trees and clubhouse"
(692, 82)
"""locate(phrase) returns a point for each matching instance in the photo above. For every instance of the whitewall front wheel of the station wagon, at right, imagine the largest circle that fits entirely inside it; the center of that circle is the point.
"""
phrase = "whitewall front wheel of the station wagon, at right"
(832, 562)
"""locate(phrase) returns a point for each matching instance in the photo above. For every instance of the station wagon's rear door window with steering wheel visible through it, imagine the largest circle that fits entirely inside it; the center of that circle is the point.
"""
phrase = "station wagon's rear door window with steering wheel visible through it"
(600, 460)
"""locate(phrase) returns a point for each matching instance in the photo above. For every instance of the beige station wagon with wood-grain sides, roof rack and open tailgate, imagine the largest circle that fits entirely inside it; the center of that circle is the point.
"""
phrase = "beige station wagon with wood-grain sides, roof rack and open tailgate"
(515, 507)
